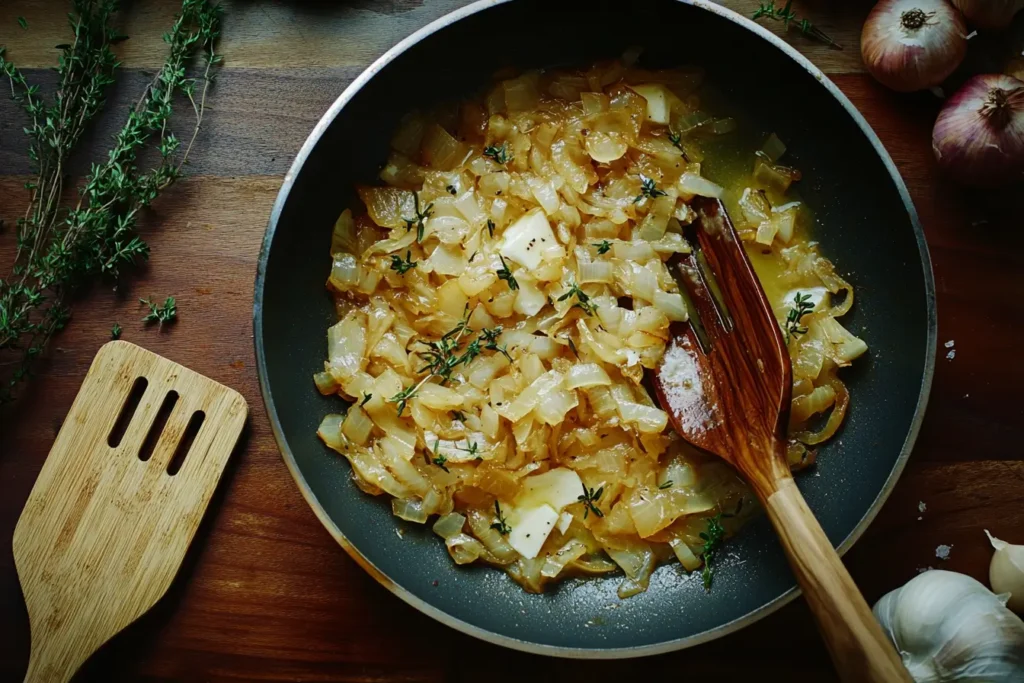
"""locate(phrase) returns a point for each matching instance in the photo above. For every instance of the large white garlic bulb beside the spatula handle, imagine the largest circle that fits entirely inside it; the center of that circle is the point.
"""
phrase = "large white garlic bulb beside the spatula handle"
(949, 627)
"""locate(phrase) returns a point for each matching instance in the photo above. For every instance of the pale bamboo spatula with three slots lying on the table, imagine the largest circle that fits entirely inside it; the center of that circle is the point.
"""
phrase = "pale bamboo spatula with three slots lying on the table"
(118, 501)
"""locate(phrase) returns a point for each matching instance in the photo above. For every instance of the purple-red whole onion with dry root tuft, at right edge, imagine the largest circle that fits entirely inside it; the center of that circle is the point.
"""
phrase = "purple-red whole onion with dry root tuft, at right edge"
(979, 136)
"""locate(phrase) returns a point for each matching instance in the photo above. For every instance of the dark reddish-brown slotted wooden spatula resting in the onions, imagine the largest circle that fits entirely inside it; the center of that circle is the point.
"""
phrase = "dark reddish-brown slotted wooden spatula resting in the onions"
(728, 386)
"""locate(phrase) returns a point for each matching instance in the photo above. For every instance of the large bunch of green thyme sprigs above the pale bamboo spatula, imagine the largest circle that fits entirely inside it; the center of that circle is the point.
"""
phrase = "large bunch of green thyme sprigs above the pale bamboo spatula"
(61, 250)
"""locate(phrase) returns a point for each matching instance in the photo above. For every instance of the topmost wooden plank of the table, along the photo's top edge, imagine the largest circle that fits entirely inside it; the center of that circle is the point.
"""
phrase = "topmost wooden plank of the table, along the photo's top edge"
(312, 33)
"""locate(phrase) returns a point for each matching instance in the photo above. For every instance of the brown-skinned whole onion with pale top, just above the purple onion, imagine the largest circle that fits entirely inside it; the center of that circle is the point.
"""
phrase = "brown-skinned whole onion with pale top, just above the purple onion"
(911, 46)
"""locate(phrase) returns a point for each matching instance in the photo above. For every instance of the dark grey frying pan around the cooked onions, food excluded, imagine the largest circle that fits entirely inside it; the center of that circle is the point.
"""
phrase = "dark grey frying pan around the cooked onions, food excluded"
(865, 221)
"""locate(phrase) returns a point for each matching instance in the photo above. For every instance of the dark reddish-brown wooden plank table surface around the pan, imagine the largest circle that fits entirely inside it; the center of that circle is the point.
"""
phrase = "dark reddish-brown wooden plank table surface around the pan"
(267, 594)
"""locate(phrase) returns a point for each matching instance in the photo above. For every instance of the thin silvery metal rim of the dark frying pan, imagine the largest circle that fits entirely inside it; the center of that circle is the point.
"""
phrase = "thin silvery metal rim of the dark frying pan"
(515, 644)
